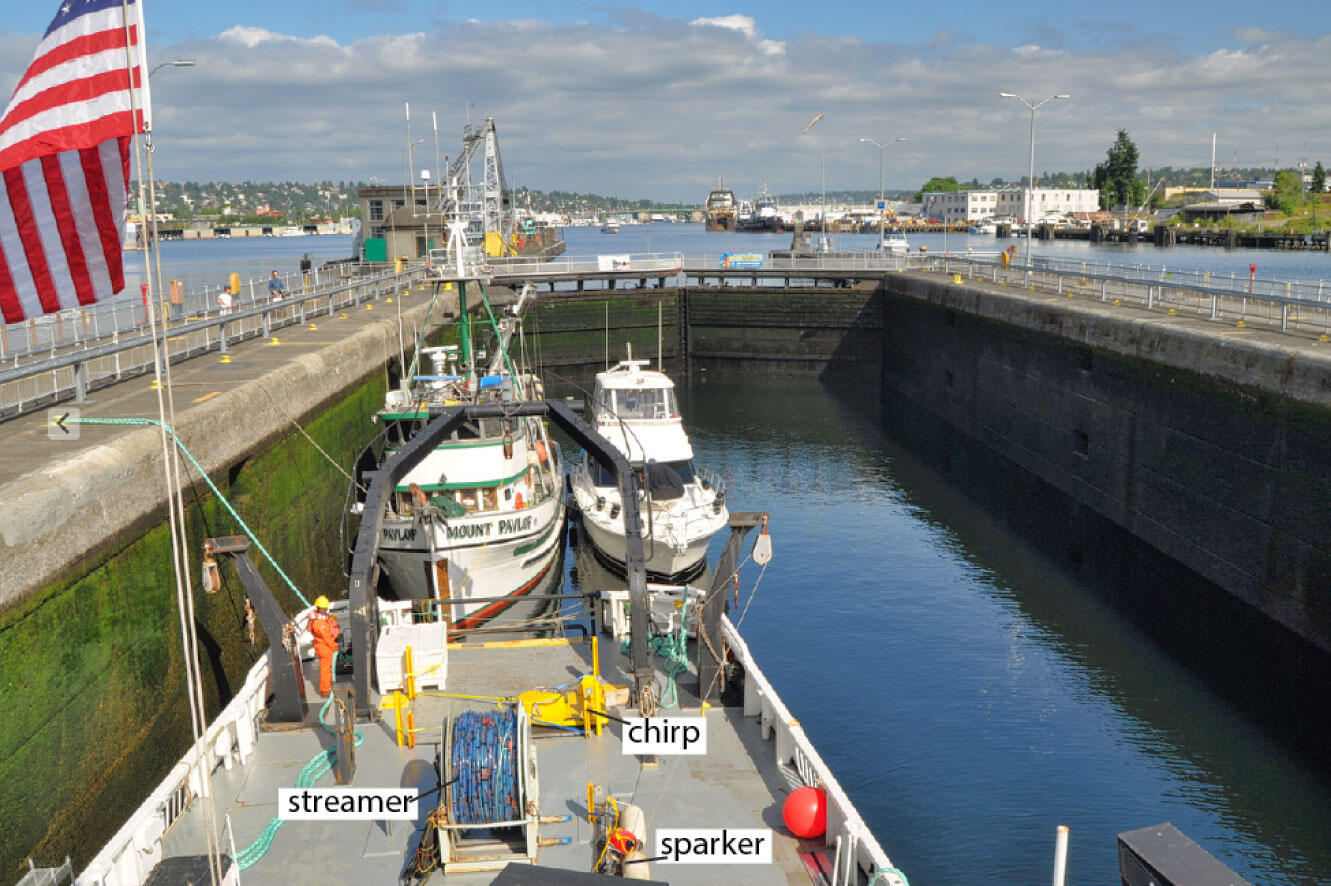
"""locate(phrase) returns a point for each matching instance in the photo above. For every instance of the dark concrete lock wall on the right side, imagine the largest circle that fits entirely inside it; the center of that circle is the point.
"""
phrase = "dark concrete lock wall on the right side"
(1211, 450)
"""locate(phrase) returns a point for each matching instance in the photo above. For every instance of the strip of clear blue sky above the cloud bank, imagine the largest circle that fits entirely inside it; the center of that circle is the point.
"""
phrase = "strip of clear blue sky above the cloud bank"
(1063, 25)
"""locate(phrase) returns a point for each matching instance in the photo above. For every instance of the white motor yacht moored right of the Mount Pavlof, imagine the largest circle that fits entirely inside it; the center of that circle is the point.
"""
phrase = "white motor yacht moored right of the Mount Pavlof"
(637, 410)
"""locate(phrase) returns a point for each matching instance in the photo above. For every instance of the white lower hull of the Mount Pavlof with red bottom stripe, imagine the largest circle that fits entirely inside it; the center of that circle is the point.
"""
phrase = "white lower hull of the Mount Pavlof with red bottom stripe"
(488, 555)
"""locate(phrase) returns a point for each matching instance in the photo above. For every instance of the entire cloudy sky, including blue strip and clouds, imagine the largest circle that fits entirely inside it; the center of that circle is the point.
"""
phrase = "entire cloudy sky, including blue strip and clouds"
(660, 100)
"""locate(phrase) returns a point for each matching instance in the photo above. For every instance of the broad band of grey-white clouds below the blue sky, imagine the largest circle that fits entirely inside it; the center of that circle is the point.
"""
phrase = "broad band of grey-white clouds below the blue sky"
(661, 108)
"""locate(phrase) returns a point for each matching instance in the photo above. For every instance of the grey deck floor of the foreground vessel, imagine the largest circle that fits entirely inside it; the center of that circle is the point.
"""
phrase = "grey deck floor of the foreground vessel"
(737, 784)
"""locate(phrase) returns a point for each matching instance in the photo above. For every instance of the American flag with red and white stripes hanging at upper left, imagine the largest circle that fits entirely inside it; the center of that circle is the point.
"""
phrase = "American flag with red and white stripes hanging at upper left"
(65, 160)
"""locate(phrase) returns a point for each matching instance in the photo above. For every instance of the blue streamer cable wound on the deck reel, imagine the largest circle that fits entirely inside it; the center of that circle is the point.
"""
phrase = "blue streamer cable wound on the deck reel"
(485, 763)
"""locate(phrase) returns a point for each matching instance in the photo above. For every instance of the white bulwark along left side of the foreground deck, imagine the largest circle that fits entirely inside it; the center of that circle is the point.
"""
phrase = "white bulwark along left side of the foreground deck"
(131, 856)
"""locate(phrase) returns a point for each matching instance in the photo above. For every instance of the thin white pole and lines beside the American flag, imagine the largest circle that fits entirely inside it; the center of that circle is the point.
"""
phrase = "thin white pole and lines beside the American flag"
(142, 120)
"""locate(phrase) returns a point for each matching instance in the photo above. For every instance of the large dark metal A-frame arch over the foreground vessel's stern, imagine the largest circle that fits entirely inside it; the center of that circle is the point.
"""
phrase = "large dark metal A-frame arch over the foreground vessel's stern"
(364, 605)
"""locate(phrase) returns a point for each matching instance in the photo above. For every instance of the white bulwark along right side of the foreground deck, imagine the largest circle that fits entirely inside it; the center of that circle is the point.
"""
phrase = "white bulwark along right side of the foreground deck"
(858, 852)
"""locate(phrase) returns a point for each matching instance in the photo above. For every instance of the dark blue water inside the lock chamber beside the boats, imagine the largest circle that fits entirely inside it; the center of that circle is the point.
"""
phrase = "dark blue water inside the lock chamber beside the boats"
(972, 692)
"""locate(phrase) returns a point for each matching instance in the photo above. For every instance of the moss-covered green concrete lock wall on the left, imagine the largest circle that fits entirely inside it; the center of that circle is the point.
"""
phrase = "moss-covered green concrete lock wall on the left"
(90, 639)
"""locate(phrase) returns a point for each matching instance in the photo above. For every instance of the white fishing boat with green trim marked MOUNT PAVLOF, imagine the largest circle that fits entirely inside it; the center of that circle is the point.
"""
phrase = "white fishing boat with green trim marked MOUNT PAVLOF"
(482, 514)
